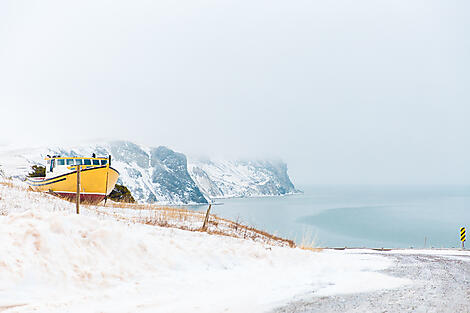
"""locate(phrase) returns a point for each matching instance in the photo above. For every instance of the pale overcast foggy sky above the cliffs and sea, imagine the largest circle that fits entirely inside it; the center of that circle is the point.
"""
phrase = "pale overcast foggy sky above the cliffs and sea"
(353, 92)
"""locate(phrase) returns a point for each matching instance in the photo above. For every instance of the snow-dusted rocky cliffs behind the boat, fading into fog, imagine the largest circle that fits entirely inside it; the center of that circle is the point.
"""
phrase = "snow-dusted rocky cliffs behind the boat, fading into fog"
(167, 177)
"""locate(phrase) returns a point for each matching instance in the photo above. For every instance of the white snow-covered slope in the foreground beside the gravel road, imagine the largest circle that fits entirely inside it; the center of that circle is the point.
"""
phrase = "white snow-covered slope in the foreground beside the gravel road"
(53, 260)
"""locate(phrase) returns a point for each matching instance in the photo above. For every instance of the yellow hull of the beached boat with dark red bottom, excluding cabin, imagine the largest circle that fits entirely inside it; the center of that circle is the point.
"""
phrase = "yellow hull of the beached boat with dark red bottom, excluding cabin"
(95, 184)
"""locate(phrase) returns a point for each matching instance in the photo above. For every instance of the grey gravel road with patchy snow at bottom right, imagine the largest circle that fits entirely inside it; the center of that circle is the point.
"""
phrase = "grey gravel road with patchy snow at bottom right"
(441, 284)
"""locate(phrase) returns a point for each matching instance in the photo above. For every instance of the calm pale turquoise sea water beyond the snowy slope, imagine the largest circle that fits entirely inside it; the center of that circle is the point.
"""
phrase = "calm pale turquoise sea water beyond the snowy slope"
(365, 216)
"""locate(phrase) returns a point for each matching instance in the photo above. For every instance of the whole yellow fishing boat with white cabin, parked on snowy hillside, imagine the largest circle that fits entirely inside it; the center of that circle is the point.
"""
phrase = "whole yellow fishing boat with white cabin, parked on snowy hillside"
(97, 178)
